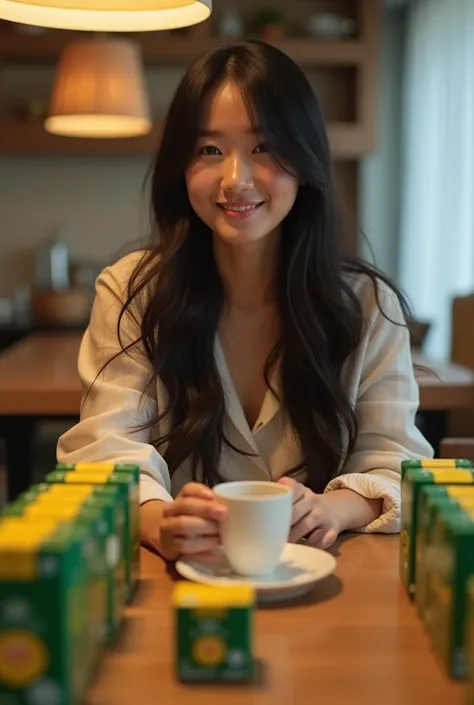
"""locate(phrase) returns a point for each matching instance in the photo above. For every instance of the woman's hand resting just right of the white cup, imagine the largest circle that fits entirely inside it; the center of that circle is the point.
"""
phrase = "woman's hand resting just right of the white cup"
(312, 517)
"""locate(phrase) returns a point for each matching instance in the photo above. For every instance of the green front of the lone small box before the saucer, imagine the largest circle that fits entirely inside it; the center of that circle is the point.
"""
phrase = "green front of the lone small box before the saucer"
(232, 626)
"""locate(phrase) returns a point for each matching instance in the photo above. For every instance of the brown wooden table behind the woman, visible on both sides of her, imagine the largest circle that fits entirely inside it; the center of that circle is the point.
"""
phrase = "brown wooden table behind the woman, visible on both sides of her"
(38, 376)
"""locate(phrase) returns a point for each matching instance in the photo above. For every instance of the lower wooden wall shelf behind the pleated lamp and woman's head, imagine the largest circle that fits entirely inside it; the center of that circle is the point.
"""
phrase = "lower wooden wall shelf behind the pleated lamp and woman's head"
(348, 141)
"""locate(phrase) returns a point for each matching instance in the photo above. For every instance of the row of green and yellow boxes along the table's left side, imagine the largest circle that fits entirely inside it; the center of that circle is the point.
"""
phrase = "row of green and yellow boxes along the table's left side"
(69, 562)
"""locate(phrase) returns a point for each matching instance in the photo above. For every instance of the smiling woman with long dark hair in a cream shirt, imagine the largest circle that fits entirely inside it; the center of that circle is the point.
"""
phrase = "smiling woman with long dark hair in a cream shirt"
(244, 346)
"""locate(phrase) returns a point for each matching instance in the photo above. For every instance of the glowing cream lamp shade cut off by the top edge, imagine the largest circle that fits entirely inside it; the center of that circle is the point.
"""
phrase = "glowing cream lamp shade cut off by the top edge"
(107, 15)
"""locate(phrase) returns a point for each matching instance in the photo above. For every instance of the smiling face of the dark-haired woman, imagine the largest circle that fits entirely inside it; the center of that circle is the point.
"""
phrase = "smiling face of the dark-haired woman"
(234, 185)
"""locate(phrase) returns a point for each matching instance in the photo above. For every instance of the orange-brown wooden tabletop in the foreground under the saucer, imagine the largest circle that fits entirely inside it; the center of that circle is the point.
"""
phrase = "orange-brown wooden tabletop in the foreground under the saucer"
(355, 639)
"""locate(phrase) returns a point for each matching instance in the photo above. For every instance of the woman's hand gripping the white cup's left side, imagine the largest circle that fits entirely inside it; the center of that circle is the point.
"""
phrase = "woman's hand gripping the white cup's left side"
(186, 526)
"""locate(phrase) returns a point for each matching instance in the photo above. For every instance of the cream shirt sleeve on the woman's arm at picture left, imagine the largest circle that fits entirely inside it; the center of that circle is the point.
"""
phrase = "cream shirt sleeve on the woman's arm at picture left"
(116, 403)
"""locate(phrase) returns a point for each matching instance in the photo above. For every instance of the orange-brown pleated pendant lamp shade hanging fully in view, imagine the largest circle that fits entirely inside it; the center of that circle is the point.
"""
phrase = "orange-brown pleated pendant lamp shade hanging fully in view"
(99, 91)
